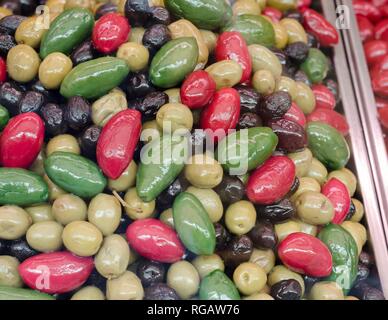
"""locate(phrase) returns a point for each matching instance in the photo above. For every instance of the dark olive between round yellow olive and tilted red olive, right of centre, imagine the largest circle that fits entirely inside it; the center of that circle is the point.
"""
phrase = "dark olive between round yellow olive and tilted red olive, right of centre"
(230, 190)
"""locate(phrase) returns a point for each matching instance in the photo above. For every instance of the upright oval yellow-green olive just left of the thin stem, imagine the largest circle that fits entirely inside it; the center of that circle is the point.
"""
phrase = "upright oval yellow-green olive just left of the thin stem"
(105, 213)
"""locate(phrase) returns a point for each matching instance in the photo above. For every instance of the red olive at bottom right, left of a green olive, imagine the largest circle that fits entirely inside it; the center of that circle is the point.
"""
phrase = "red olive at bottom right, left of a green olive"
(303, 253)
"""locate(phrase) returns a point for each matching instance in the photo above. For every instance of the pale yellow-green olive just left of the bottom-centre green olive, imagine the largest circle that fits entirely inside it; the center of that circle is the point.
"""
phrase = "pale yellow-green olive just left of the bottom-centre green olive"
(183, 278)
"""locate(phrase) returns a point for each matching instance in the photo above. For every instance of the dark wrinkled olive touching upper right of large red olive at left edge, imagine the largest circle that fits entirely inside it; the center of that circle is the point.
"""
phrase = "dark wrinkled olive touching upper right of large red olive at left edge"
(54, 119)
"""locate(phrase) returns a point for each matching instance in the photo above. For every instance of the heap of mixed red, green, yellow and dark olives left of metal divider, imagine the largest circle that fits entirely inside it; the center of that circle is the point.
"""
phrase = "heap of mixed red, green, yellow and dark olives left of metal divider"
(174, 150)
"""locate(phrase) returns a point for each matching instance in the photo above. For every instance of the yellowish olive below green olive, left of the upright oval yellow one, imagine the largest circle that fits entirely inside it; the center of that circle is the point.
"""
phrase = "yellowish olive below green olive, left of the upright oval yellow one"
(68, 208)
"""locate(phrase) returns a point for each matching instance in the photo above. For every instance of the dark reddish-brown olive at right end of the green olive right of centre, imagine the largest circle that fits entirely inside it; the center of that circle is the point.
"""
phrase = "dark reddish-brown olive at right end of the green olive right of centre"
(292, 136)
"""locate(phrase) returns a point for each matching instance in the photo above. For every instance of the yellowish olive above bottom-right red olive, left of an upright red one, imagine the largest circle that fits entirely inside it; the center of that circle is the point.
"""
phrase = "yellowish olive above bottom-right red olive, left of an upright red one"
(314, 208)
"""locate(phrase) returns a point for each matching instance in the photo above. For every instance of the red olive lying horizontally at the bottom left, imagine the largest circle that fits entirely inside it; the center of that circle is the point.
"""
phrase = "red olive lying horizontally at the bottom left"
(56, 272)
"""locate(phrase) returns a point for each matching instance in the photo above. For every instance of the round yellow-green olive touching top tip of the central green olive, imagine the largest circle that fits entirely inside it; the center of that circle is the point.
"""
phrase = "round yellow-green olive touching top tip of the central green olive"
(174, 116)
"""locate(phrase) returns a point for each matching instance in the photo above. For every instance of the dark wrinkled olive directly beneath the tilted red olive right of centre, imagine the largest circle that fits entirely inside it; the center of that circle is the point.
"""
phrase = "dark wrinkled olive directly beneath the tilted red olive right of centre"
(278, 212)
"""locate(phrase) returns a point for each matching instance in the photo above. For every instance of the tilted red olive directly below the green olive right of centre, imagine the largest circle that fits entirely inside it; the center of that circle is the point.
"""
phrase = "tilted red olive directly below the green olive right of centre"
(272, 181)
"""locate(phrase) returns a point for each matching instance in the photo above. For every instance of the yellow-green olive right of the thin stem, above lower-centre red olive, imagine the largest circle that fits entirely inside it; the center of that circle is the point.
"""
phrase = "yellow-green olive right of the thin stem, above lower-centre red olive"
(136, 208)
